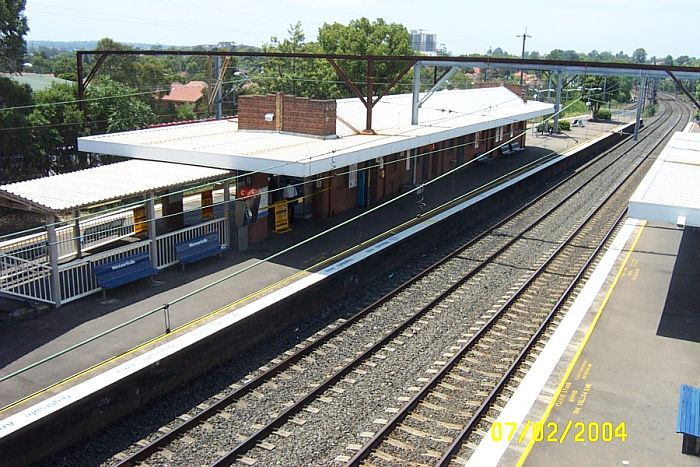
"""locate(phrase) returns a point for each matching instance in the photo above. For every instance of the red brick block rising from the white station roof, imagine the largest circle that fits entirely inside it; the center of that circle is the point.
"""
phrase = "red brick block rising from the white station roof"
(298, 115)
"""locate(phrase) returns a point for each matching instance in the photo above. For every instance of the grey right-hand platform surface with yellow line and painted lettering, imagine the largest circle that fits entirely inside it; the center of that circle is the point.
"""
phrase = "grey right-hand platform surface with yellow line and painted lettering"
(620, 394)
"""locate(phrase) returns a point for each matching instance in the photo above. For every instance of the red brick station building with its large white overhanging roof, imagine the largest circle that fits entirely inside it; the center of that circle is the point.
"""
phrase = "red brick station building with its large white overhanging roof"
(319, 145)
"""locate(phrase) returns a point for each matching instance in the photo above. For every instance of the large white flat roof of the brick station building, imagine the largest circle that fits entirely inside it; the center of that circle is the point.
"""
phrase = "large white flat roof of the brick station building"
(446, 115)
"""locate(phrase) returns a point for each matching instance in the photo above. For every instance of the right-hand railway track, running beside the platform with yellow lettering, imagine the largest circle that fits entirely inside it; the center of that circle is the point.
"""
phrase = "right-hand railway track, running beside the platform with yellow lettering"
(529, 313)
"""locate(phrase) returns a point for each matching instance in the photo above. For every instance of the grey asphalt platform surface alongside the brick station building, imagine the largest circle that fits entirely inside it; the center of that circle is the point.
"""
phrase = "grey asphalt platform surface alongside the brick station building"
(35, 339)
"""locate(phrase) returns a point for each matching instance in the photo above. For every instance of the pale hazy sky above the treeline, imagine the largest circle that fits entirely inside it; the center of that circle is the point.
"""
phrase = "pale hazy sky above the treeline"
(660, 27)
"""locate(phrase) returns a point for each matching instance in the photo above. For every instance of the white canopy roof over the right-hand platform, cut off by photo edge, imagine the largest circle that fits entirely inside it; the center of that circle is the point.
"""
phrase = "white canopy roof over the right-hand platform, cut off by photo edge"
(670, 188)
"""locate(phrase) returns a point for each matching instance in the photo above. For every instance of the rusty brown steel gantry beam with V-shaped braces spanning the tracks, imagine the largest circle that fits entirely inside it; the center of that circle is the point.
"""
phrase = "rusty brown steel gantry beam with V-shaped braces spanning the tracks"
(568, 67)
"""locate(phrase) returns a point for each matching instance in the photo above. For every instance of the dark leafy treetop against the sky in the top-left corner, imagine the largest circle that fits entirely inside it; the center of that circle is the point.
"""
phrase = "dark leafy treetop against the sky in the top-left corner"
(13, 28)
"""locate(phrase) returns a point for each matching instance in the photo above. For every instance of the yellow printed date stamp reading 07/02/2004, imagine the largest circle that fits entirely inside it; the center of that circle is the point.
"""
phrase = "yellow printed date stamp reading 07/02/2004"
(554, 432)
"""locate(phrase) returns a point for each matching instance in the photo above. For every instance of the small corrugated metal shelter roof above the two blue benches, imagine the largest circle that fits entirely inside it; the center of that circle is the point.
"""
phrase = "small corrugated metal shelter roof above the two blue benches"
(98, 185)
